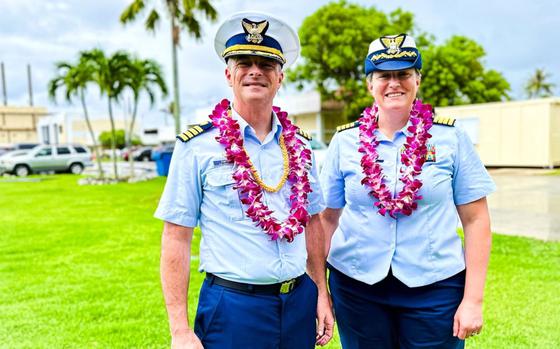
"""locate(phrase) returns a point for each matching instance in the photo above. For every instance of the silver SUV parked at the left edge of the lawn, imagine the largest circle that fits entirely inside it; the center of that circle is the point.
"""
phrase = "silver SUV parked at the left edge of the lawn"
(71, 158)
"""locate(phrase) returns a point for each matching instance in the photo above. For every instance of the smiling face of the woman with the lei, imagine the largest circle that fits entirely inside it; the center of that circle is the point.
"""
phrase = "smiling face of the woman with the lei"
(394, 91)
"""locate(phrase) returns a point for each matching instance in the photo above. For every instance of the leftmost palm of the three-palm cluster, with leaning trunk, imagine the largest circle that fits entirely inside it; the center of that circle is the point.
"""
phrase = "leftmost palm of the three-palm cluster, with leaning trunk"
(75, 78)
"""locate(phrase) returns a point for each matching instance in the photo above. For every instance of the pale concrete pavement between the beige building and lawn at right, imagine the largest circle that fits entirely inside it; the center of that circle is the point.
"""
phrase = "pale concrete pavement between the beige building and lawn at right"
(527, 203)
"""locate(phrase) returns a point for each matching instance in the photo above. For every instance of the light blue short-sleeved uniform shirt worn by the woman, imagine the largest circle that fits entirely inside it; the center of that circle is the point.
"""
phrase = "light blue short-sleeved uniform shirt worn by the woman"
(422, 248)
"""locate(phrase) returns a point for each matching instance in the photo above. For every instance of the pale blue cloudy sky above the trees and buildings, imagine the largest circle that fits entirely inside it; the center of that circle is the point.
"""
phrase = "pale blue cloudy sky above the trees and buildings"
(518, 37)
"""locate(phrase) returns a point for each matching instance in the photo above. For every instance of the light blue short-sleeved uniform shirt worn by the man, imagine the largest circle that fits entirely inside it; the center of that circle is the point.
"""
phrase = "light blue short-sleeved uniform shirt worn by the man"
(199, 190)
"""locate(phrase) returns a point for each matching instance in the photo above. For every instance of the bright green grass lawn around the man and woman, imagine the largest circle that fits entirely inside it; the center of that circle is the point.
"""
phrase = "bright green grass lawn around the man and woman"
(79, 269)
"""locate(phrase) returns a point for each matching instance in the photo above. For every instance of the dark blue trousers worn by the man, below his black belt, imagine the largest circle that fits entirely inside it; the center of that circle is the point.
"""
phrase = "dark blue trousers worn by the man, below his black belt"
(234, 319)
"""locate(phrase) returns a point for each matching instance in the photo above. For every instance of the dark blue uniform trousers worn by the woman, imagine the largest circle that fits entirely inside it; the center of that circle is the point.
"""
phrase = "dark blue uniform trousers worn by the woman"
(391, 315)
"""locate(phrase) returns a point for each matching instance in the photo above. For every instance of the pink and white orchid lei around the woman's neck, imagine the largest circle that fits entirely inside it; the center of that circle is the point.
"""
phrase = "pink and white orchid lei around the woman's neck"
(412, 157)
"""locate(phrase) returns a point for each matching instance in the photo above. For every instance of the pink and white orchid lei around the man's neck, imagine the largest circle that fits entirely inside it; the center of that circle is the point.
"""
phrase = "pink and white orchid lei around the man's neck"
(251, 193)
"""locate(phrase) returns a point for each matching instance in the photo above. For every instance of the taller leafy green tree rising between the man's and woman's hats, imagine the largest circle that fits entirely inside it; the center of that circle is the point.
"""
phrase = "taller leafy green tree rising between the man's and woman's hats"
(335, 42)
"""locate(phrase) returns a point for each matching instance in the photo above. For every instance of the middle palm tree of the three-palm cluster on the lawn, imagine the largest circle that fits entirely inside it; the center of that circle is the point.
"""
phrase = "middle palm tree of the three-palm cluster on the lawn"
(110, 74)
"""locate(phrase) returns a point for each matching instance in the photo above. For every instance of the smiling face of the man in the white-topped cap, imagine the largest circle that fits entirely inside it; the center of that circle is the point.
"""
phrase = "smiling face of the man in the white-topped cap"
(254, 78)
